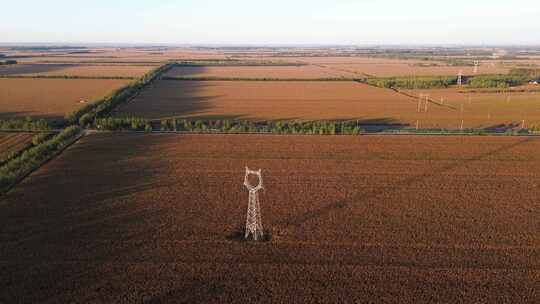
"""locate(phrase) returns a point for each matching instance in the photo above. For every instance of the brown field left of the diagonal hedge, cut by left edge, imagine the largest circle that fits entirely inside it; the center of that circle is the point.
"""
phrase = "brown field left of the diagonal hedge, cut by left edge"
(50, 98)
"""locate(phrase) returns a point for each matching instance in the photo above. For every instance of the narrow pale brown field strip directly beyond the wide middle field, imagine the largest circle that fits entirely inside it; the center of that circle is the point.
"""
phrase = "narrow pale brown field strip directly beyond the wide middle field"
(284, 72)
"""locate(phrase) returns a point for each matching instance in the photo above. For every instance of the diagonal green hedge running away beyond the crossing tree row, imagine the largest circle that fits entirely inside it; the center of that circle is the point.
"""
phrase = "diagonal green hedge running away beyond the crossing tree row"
(105, 105)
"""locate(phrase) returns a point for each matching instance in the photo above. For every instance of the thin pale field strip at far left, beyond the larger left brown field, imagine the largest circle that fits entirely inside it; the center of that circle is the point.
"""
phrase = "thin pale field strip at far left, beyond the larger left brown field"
(75, 70)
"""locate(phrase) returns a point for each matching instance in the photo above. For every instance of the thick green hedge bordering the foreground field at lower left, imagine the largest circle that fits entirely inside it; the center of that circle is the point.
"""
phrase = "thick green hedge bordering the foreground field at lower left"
(31, 159)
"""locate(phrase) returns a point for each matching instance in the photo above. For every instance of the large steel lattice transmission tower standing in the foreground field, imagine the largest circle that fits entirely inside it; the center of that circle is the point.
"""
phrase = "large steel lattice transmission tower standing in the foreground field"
(253, 221)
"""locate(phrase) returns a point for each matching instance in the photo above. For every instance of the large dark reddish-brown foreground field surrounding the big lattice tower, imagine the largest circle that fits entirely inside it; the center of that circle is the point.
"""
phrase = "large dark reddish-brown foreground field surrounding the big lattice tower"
(133, 217)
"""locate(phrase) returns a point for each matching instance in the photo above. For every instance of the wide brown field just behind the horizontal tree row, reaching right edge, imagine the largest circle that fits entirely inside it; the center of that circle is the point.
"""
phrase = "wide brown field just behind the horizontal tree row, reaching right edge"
(266, 100)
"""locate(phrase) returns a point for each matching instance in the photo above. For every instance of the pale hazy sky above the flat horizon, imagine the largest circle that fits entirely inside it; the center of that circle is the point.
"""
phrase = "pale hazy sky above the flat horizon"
(272, 22)
